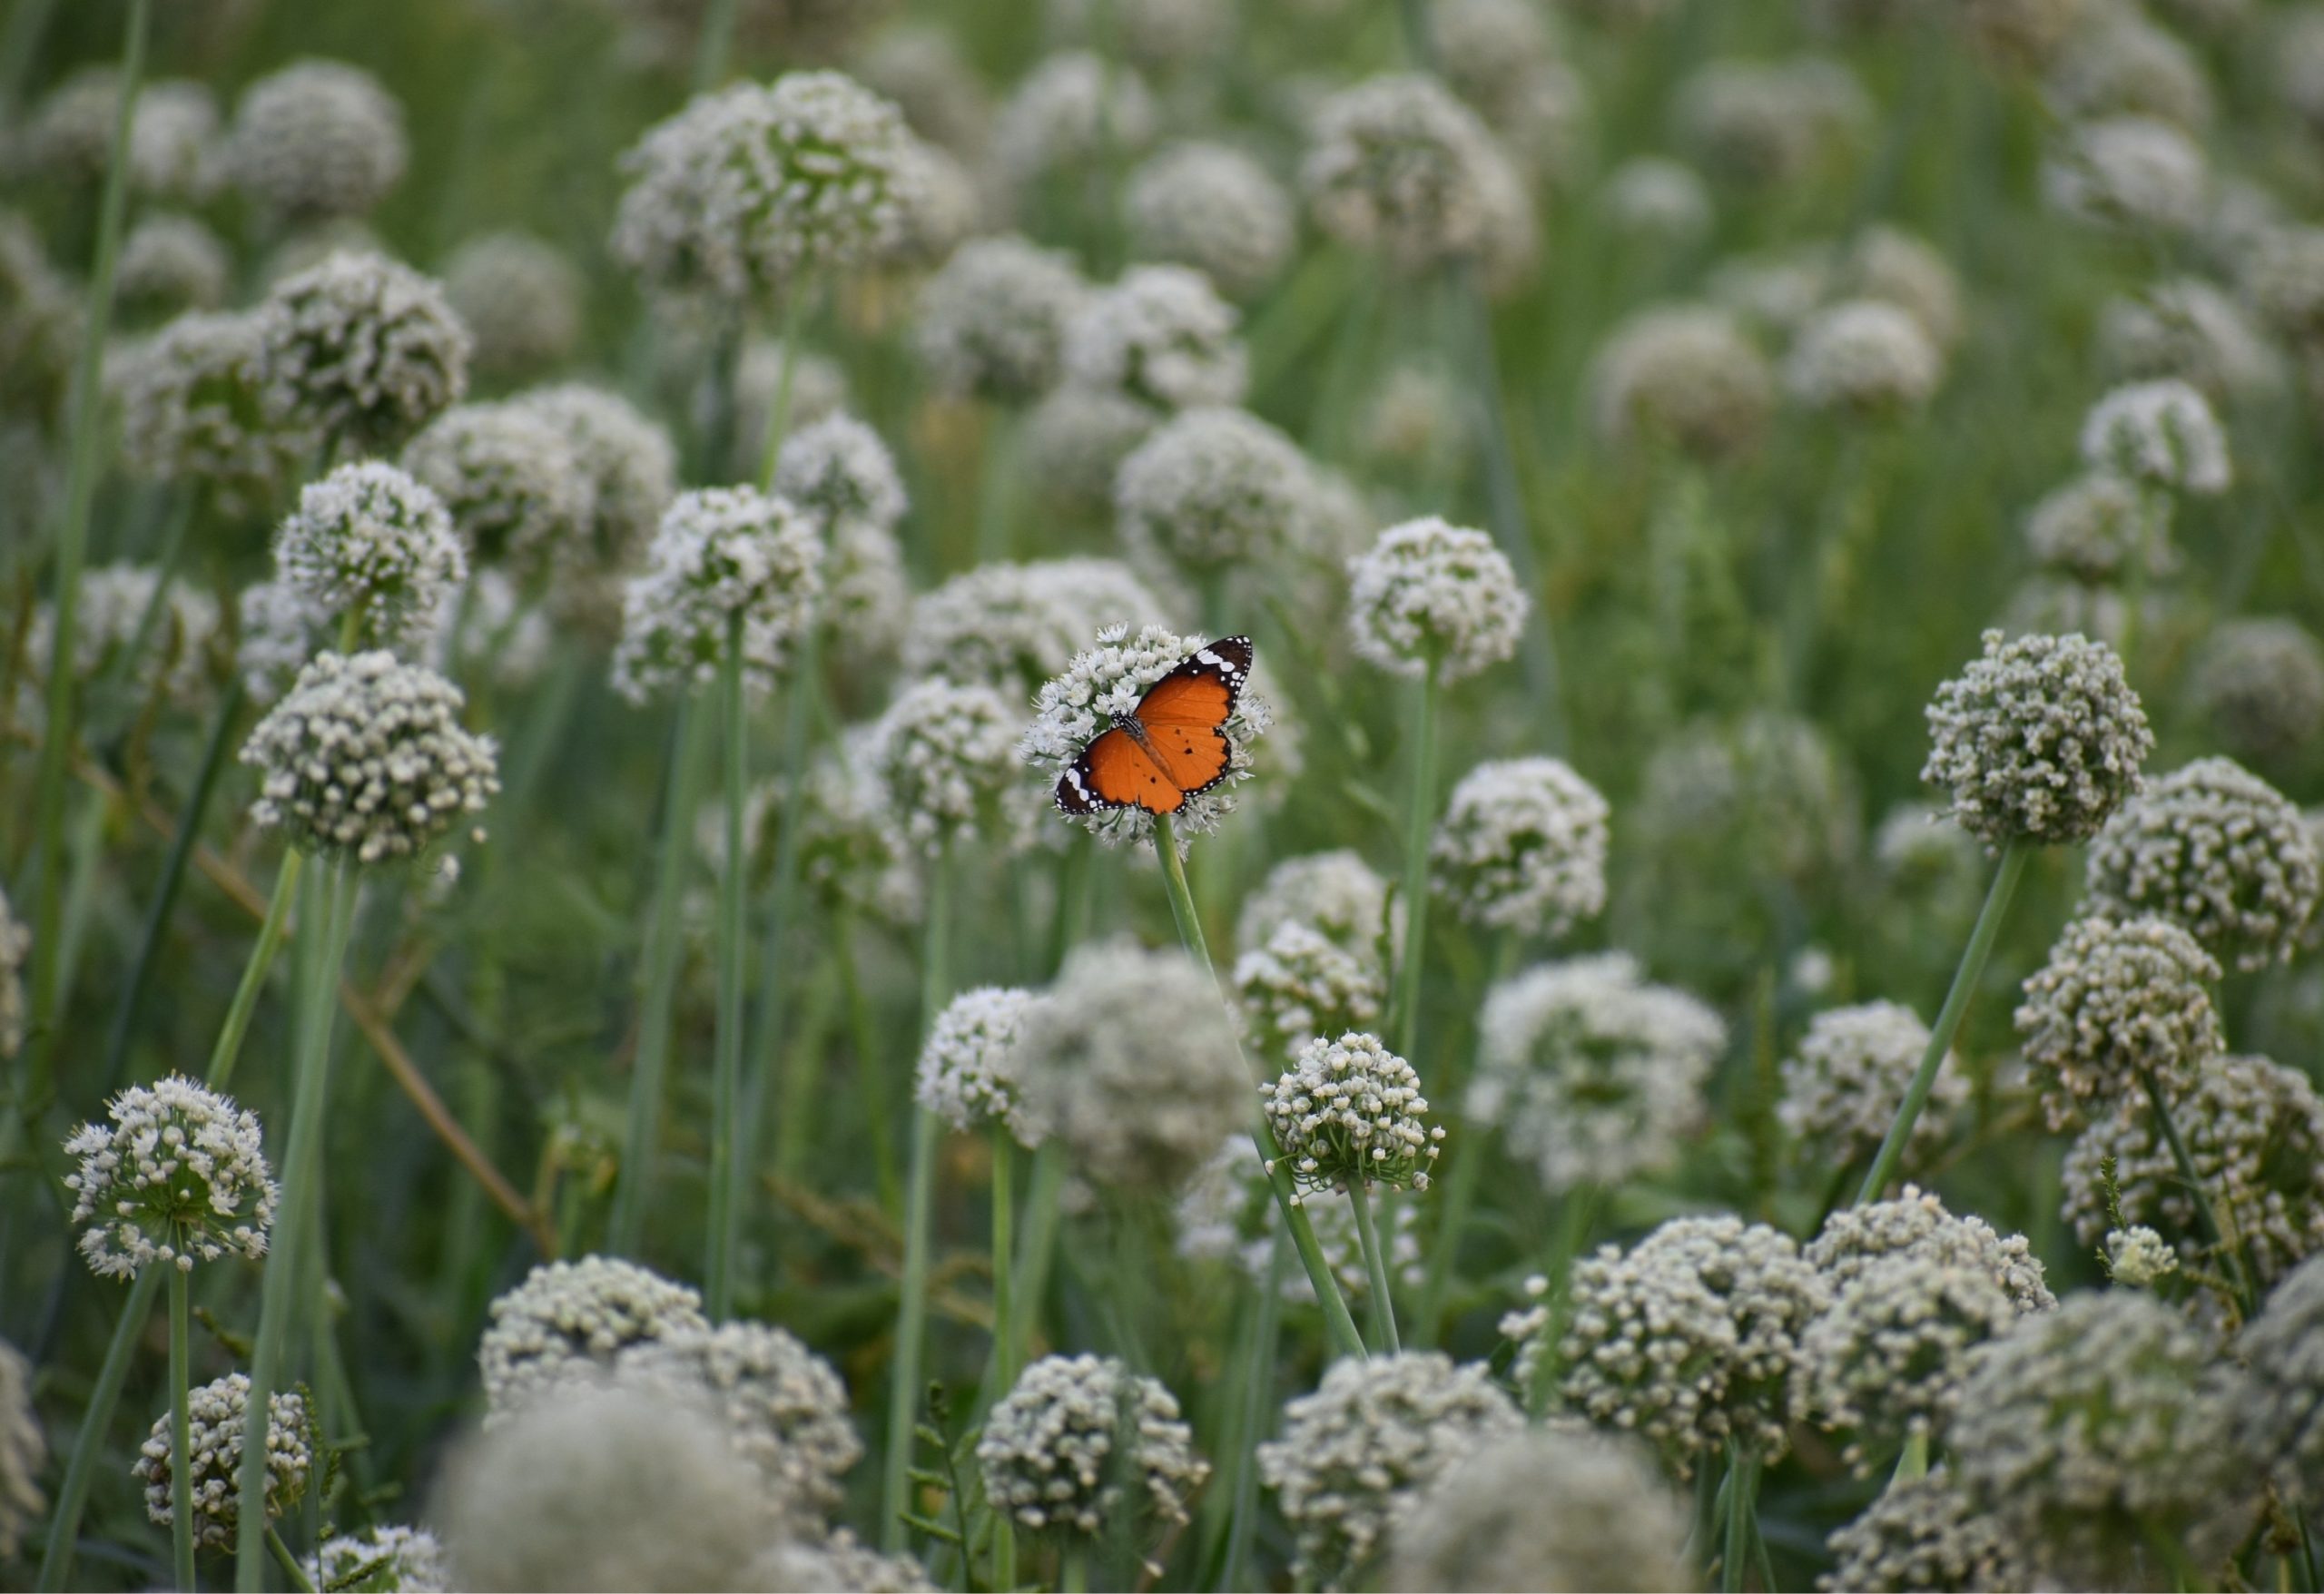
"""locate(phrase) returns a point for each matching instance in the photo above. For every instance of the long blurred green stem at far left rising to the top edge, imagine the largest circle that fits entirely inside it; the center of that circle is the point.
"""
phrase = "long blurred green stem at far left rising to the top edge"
(71, 554)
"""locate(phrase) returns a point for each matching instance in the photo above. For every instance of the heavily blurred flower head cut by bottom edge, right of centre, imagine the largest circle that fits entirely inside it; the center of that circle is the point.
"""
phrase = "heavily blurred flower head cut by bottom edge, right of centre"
(1544, 1509)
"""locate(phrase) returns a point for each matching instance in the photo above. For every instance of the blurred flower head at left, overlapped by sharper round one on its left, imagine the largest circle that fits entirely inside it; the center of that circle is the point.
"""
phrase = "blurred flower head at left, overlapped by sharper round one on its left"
(510, 480)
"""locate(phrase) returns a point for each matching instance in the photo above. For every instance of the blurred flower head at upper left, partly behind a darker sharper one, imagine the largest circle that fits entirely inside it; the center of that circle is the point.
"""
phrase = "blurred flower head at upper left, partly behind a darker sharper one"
(194, 410)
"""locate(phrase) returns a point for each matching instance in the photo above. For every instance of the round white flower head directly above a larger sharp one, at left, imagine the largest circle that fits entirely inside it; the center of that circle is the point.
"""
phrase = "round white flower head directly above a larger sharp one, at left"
(373, 543)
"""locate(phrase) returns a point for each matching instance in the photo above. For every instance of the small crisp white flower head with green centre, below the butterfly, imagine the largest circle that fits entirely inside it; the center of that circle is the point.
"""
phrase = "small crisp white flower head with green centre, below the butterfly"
(1349, 1112)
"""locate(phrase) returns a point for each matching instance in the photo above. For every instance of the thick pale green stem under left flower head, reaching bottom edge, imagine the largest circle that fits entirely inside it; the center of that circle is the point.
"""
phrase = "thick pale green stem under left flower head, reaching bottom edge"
(331, 914)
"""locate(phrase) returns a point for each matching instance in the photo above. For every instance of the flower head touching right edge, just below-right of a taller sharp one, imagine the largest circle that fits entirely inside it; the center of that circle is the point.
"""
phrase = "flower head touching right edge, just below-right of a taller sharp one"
(2218, 852)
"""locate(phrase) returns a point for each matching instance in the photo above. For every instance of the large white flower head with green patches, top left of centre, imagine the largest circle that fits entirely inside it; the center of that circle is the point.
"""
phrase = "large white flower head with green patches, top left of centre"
(754, 187)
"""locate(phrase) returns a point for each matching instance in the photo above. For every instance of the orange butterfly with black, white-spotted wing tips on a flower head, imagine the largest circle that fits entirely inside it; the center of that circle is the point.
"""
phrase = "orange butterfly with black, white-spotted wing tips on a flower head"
(1172, 745)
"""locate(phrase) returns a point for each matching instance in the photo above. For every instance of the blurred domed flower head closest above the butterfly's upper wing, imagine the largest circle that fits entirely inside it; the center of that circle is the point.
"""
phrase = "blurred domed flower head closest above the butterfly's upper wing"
(1217, 489)
